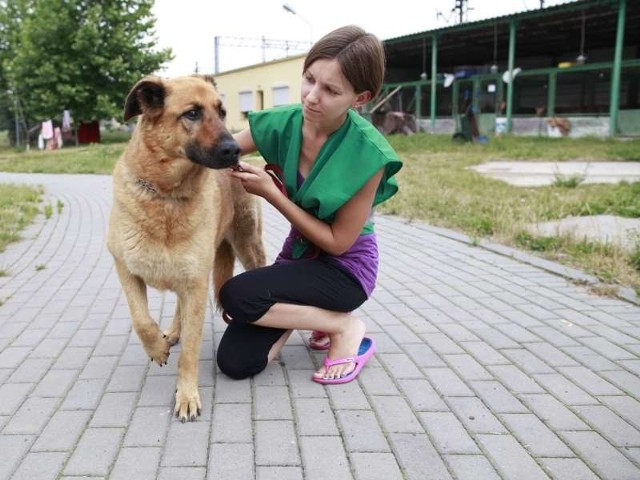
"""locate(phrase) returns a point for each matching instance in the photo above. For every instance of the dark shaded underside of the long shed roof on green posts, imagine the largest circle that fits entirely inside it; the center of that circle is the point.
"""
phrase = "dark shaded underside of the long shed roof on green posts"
(545, 37)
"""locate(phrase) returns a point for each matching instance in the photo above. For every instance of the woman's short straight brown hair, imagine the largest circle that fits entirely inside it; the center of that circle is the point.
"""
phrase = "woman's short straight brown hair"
(360, 55)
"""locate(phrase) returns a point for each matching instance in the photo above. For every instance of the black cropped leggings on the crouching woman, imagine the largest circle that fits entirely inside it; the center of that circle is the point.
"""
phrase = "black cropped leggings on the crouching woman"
(244, 347)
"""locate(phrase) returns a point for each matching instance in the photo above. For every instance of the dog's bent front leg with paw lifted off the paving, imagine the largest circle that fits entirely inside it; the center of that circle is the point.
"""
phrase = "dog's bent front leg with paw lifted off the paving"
(153, 340)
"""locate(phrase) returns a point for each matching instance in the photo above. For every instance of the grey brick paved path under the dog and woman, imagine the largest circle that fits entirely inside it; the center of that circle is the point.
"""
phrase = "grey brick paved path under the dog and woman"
(487, 368)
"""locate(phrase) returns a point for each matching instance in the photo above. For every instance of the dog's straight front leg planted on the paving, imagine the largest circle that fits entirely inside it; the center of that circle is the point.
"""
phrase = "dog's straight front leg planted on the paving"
(193, 301)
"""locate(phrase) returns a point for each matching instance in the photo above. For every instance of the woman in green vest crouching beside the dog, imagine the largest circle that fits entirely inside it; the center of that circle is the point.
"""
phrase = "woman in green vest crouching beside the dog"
(336, 167)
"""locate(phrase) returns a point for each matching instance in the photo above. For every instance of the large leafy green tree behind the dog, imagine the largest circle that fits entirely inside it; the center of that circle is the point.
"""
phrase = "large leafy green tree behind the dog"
(77, 54)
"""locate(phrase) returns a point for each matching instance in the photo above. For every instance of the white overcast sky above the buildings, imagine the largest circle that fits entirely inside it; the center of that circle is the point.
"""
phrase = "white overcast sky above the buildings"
(189, 27)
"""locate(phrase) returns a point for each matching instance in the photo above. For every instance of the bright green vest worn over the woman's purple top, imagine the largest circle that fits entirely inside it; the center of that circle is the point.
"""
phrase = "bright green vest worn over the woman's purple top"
(347, 160)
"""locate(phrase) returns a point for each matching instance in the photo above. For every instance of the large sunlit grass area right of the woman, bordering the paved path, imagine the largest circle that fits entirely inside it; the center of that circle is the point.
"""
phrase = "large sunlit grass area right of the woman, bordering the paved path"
(436, 186)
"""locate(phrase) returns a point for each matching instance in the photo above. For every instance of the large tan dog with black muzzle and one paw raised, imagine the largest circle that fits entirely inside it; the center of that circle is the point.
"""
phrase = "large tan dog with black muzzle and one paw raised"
(177, 215)
